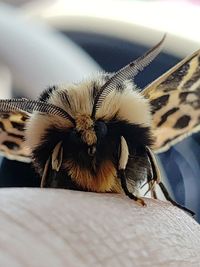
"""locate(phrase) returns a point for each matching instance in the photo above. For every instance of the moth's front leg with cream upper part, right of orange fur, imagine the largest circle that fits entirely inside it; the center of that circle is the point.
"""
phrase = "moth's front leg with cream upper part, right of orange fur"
(123, 159)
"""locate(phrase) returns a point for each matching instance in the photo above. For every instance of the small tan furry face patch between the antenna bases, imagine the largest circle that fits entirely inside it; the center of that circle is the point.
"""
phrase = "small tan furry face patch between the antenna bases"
(85, 126)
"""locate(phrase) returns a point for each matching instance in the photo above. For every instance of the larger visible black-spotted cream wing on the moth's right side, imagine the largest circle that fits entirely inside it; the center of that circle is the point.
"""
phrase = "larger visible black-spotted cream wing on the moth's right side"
(175, 102)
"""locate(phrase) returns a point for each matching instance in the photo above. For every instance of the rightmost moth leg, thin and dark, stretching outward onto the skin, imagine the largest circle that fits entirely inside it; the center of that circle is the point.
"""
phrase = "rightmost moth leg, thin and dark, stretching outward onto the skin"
(157, 178)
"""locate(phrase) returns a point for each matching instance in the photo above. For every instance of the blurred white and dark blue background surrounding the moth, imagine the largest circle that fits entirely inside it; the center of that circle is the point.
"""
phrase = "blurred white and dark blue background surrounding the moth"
(49, 42)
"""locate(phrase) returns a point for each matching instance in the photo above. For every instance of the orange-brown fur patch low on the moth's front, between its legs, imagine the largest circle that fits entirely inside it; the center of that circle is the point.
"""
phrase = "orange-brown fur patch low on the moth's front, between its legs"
(104, 181)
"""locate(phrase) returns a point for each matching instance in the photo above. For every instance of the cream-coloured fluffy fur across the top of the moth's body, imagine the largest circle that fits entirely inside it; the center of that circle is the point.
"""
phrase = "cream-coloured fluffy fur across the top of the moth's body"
(129, 105)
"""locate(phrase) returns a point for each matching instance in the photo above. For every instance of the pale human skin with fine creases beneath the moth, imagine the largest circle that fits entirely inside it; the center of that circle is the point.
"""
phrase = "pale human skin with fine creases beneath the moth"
(55, 227)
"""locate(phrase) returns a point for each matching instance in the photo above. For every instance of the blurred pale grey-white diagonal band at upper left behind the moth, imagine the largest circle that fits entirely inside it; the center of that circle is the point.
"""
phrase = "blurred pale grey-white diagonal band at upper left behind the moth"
(37, 56)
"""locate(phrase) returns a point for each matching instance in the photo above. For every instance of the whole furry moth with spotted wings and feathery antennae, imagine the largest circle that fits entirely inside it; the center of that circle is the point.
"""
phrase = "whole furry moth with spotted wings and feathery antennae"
(101, 135)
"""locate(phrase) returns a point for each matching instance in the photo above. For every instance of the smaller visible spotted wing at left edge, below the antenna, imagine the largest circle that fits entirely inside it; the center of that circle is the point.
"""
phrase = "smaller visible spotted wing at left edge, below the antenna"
(12, 144)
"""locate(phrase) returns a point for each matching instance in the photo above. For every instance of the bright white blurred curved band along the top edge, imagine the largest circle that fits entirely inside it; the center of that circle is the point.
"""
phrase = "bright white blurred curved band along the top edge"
(143, 22)
